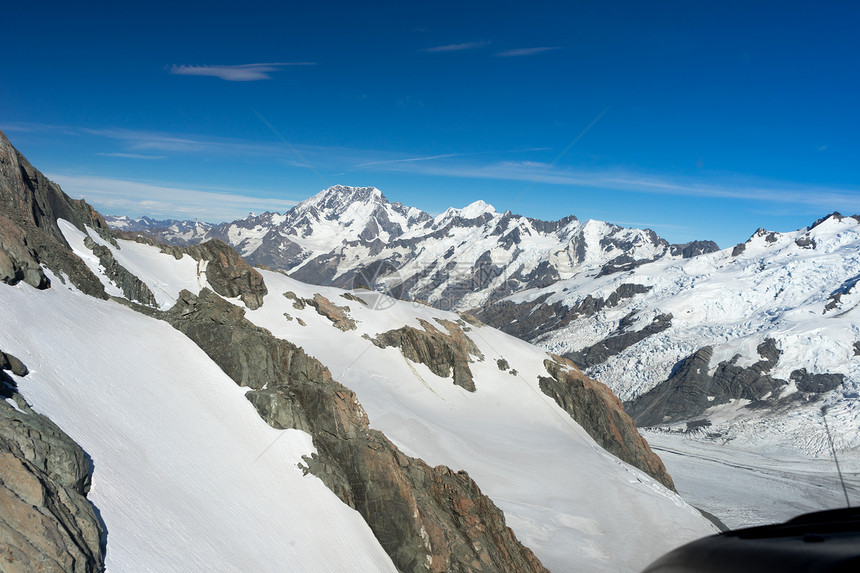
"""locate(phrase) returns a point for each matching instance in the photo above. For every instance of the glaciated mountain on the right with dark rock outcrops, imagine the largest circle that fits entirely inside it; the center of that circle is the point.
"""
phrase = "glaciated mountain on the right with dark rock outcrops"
(746, 343)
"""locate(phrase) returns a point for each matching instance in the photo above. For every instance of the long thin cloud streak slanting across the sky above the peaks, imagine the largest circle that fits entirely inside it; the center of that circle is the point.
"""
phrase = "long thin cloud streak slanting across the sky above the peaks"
(778, 194)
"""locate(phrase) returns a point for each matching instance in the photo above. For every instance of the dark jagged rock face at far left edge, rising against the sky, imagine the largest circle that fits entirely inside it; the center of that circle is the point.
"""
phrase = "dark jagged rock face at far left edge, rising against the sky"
(29, 234)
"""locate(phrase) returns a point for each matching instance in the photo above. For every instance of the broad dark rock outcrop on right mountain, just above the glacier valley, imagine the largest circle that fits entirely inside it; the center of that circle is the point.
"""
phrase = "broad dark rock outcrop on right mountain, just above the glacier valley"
(690, 390)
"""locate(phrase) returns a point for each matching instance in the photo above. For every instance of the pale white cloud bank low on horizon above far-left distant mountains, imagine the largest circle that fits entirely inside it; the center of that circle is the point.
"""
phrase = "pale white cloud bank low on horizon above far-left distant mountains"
(135, 198)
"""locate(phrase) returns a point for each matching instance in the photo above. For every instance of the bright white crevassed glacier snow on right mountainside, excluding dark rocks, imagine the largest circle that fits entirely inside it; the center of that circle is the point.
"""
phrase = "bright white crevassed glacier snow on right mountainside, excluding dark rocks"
(776, 285)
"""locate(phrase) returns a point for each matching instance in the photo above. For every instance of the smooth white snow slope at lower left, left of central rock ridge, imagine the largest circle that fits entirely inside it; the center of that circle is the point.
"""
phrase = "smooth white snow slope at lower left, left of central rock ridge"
(179, 478)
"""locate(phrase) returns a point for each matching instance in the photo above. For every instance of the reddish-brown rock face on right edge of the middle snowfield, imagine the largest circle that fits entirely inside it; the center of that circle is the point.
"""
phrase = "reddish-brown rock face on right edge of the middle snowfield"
(594, 407)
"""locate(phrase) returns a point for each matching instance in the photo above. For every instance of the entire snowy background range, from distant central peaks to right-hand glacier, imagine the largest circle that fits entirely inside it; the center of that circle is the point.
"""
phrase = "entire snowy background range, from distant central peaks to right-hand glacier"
(745, 344)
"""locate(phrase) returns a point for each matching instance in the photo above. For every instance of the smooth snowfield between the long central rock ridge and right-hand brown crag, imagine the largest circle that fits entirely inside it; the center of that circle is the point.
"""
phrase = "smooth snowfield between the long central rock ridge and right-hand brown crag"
(574, 504)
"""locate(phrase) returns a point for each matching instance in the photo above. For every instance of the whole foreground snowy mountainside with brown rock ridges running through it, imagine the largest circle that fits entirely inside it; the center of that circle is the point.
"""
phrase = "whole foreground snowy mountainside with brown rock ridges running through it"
(240, 419)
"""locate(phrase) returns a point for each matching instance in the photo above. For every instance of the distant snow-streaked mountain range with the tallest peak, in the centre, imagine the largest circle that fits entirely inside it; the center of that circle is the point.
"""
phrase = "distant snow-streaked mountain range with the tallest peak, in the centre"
(461, 259)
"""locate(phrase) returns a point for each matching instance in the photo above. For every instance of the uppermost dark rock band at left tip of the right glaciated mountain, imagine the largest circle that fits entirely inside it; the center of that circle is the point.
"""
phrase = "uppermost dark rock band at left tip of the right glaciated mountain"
(532, 319)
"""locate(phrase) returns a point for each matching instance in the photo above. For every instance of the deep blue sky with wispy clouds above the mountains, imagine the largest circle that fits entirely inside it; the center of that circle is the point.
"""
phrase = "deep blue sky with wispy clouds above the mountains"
(697, 119)
